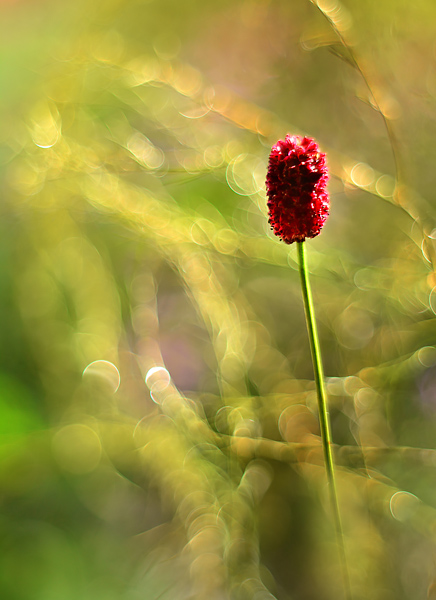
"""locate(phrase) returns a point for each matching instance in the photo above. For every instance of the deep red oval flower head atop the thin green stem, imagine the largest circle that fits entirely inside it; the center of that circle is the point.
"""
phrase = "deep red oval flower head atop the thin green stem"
(298, 202)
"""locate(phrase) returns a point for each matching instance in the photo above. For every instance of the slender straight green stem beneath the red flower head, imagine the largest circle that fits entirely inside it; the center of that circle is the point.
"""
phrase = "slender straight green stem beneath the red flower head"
(324, 420)
